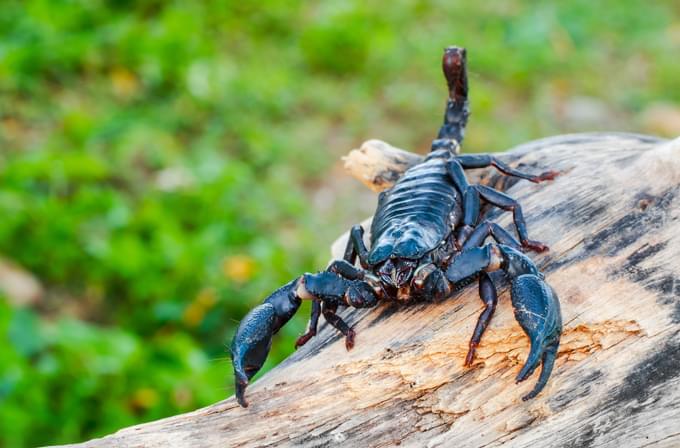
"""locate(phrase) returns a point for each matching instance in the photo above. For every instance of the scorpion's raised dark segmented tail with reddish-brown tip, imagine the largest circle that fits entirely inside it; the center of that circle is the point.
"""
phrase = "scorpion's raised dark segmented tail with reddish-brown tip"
(457, 111)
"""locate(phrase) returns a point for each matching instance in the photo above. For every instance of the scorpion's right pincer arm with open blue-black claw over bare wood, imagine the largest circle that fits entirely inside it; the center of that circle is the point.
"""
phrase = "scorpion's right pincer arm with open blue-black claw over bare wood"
(535, 303)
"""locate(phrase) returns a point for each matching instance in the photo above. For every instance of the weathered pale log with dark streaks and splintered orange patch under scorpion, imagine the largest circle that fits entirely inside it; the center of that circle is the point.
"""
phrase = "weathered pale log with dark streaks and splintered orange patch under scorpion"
(612, 221)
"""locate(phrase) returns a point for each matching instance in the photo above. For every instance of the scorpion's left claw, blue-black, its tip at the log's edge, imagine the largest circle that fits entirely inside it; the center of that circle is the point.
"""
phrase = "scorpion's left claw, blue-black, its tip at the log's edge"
(253, 338)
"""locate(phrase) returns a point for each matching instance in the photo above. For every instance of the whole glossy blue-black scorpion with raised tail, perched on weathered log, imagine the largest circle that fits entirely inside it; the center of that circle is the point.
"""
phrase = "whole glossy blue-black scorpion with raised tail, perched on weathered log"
(427, 241)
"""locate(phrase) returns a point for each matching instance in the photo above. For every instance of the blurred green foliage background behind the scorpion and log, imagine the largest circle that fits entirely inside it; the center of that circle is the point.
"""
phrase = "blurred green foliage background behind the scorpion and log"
(166, 165)
